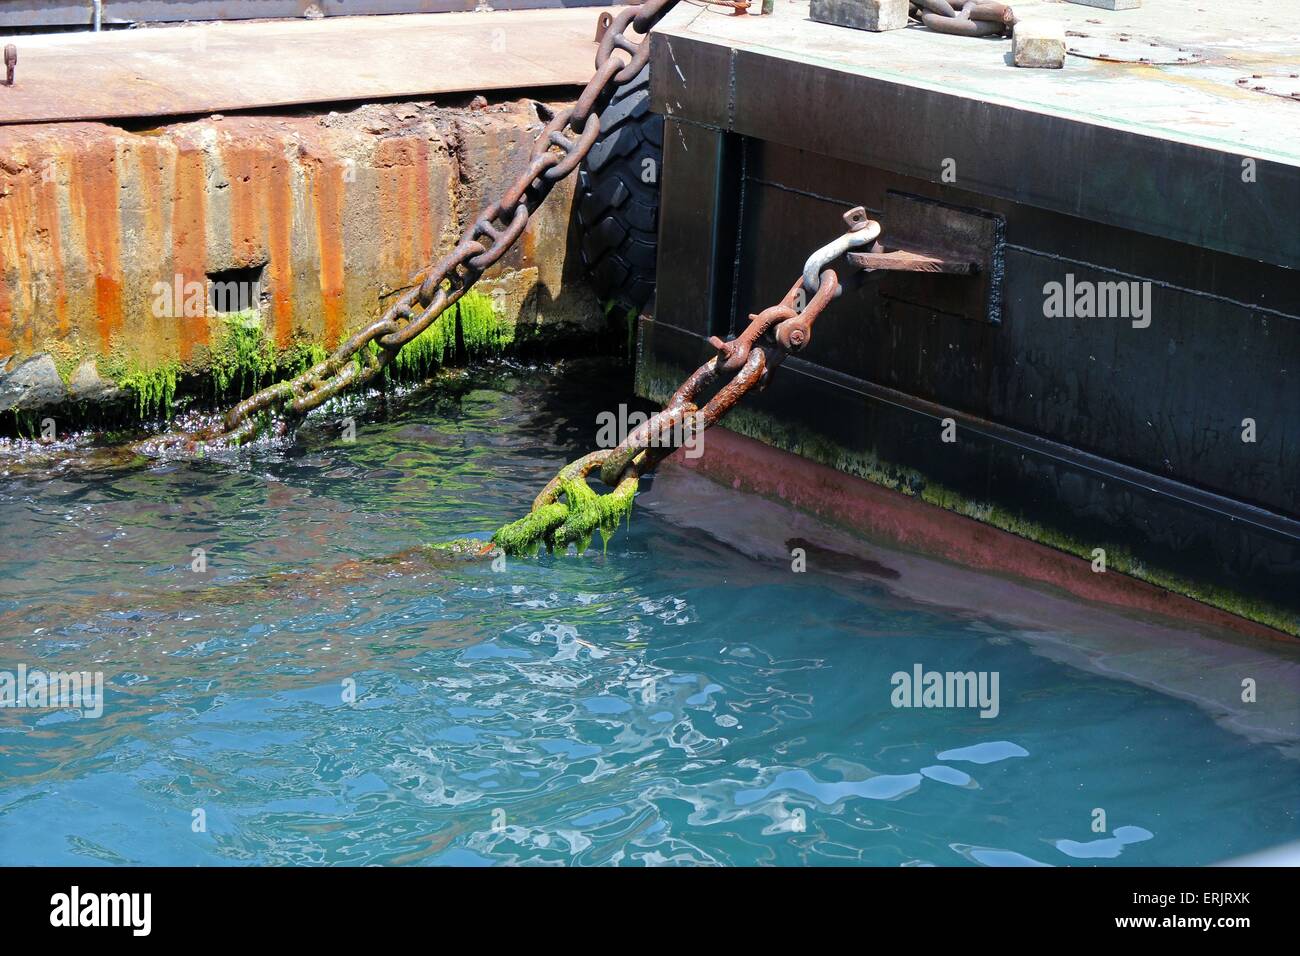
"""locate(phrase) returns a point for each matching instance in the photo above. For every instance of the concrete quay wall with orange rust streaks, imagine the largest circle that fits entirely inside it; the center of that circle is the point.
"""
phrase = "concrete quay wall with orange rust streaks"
(330, 215)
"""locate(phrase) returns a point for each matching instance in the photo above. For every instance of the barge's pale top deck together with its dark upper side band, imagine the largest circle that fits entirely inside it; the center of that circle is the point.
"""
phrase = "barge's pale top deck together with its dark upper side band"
(1180, 152)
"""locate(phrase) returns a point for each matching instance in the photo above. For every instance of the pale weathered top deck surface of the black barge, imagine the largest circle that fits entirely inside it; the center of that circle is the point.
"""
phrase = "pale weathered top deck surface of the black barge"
(1194, 103)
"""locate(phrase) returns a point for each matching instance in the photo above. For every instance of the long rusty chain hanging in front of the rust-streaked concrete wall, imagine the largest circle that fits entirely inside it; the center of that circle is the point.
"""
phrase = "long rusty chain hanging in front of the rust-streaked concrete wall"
(558, 152)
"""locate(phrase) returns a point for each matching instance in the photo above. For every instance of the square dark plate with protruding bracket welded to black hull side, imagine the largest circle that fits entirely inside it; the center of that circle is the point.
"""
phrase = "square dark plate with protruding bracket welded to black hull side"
(956, 233)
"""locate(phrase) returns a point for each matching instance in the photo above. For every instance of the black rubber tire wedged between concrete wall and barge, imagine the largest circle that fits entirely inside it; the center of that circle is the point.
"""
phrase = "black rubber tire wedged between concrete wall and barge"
(618, 210)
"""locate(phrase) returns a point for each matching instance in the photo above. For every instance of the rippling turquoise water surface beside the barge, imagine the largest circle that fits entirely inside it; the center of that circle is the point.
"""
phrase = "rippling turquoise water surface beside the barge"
(670, 702)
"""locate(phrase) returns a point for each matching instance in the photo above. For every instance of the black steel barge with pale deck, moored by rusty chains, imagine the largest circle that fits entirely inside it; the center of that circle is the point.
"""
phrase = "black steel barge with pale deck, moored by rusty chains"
(1163, 163)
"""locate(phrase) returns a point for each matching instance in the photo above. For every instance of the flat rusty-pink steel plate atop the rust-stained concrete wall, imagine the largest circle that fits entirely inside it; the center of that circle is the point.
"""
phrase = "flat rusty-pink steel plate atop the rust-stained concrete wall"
(206, 68)
